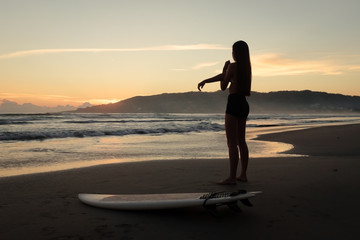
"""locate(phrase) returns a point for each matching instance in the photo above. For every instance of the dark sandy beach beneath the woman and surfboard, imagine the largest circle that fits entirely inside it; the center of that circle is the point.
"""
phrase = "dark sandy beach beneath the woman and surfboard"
(311, 197)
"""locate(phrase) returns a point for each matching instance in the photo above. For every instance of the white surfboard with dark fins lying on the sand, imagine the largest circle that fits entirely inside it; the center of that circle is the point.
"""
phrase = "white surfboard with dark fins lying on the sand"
(165, 201)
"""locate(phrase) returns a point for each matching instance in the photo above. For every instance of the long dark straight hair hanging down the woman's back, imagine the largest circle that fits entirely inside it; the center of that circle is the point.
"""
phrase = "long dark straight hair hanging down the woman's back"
(241, 55)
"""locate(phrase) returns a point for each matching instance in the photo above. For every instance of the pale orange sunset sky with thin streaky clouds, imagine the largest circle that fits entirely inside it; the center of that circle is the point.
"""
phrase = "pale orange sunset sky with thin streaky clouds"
(58, 52)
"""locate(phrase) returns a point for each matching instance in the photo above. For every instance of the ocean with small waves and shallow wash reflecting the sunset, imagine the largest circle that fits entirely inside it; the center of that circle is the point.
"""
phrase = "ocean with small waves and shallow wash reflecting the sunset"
(33, 143)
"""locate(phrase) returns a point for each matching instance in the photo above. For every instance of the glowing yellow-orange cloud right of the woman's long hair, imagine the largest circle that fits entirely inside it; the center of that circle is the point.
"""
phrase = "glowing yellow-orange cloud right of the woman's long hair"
(276, 64)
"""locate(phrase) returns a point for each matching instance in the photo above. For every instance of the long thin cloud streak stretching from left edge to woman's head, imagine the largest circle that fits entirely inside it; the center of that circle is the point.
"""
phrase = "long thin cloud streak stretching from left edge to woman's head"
(201, 46)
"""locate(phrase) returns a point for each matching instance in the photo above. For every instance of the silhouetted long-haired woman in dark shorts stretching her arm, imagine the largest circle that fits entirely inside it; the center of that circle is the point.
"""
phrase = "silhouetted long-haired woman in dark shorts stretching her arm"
(238, 74)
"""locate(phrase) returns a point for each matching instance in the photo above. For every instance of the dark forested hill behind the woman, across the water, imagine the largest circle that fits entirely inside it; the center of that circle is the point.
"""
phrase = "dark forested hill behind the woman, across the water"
(214, 102)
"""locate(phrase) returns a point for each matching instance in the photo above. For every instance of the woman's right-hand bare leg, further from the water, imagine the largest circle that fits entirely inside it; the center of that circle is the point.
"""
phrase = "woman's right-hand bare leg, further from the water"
(244, 151)
